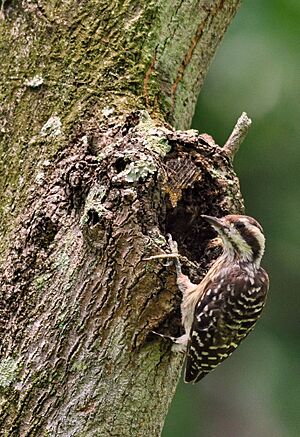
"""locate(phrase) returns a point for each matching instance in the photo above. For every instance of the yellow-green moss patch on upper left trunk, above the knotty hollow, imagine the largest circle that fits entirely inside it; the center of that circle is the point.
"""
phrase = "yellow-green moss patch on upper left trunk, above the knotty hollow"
(75, 71)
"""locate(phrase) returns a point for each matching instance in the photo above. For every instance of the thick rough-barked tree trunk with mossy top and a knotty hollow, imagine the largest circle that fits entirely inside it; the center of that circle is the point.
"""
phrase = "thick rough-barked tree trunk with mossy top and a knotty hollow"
(90, 186)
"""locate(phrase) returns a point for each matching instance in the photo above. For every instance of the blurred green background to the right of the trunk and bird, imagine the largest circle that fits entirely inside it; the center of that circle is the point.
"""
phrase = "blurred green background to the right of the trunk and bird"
(256, 392)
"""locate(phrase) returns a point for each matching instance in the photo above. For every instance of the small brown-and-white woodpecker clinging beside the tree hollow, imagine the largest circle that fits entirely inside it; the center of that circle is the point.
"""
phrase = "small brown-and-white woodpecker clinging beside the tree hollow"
(222, 310)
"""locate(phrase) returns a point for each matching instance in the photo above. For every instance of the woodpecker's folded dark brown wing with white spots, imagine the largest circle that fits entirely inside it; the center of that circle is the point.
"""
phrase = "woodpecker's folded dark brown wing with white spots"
(222, 319)
